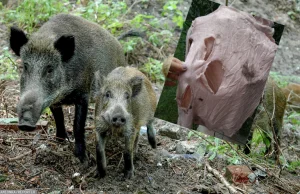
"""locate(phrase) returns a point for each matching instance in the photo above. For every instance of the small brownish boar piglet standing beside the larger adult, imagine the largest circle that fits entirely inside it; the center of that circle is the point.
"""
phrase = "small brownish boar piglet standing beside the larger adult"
(126, 102)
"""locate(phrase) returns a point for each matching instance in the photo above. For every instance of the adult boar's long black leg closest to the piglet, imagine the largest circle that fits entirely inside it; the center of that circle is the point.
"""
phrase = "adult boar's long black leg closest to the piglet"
(81, 108)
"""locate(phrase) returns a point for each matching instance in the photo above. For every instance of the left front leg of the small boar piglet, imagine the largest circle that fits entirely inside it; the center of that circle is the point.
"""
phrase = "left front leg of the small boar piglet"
(100, 154)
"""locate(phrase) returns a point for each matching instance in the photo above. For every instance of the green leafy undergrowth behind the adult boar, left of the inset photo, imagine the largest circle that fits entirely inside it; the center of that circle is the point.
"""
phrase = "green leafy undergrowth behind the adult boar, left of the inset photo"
(158, 32)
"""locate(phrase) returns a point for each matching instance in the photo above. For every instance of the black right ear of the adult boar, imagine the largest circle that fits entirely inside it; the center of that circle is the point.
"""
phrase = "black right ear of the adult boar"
(66, 46)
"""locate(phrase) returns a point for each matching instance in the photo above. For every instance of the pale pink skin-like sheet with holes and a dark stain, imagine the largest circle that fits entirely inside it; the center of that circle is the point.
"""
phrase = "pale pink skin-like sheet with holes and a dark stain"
(229, 56)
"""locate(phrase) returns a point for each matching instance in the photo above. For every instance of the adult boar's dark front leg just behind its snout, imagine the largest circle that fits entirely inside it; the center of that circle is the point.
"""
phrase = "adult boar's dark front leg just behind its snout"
(59, 122)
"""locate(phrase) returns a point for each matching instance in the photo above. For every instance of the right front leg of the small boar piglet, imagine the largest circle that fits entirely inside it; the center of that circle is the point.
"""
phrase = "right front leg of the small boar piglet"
(128, 154)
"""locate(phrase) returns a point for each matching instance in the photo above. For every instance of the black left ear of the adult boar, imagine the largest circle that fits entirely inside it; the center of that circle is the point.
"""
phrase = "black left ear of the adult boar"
(17, 39)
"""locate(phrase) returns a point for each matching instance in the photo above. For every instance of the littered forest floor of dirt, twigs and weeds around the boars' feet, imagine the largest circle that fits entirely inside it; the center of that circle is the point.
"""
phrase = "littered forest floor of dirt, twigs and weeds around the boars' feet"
(50, 165)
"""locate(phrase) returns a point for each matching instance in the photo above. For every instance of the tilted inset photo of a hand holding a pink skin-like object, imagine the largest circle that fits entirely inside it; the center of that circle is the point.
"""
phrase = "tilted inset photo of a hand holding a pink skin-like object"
(227, 55)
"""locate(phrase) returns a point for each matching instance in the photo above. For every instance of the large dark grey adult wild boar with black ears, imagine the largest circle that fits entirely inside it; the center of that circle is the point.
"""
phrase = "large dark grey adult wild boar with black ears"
(59, 61)
